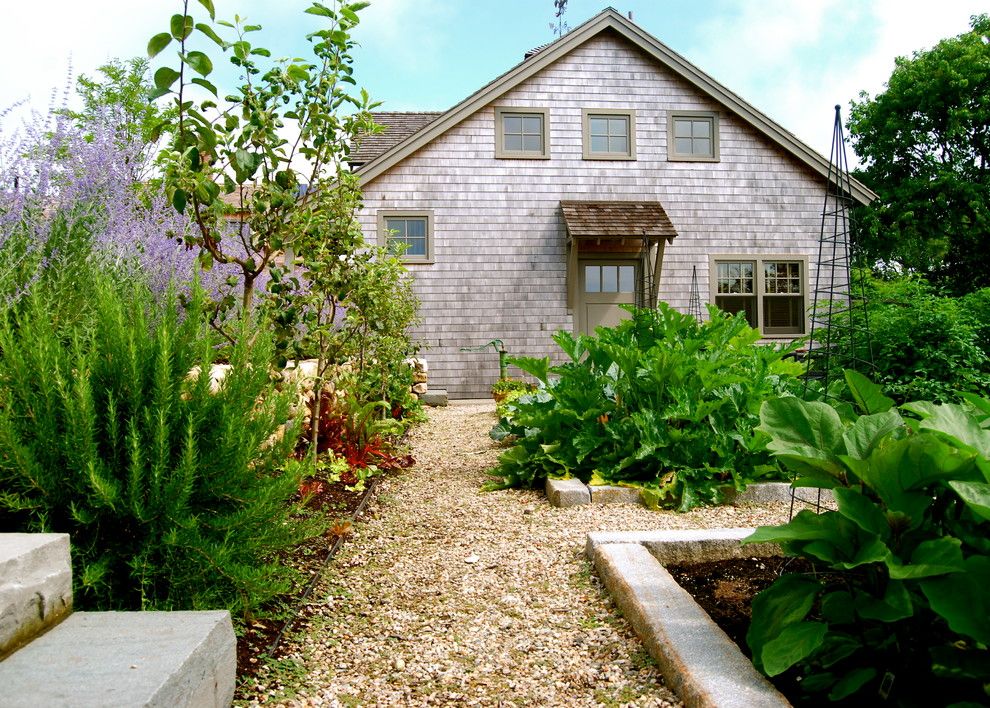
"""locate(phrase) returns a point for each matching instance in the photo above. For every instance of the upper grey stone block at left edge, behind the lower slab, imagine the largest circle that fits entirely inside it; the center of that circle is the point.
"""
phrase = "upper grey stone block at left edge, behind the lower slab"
(35, 586)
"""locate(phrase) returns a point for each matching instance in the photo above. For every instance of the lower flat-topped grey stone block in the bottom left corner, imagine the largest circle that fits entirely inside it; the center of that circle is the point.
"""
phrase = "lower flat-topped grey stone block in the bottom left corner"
(156, 659)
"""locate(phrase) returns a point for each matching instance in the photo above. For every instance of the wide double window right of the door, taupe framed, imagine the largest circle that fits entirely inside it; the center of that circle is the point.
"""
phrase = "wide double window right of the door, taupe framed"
(769, 291)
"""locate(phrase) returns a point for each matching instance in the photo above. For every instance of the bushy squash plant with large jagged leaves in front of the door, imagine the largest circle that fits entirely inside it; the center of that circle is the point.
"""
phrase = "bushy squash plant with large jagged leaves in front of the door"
(661, 401)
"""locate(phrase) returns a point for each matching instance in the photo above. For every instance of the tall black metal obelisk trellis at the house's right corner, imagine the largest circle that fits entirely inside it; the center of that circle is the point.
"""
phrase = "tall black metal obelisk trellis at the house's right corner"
(840, 331)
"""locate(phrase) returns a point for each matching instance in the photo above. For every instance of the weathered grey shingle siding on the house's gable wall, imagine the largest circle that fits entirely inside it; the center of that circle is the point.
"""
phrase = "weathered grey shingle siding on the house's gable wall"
(499, 233)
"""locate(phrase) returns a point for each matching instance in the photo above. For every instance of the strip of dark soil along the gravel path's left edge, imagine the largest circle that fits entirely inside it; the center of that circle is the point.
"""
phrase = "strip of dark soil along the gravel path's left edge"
(336, 502)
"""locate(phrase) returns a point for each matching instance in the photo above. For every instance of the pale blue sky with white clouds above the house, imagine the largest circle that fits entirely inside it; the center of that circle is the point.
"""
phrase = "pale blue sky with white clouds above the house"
(792, 59)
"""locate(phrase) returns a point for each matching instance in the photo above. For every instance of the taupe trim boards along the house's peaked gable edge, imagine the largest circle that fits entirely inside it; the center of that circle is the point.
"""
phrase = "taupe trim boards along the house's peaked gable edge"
(608, 19)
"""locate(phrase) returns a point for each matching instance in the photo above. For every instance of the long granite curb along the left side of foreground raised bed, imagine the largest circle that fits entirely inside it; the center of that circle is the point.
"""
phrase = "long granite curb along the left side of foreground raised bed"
(697, 659)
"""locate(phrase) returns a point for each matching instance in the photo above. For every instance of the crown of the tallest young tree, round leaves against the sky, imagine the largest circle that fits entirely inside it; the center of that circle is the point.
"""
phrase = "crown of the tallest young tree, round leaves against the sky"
(233, 164)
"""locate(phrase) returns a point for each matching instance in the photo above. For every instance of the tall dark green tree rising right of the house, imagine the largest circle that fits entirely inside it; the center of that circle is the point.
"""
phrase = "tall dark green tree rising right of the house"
(925, 144)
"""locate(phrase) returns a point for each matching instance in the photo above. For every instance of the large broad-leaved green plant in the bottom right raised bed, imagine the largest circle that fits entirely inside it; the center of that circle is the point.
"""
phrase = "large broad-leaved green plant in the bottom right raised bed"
(900, 607)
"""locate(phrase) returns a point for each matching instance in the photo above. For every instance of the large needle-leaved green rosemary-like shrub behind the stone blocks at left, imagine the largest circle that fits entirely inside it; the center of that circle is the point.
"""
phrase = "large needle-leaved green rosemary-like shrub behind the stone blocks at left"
(172, 494)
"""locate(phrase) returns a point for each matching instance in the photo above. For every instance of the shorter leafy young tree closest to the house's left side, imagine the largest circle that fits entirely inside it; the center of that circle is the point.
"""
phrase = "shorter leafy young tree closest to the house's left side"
(346, 303)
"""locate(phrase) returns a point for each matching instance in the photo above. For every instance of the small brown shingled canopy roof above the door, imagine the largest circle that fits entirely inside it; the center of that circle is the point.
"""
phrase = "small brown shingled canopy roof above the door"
(617, 220)
